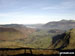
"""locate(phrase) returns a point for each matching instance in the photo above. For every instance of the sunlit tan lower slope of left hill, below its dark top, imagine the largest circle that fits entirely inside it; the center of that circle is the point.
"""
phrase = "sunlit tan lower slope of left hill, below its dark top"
(10, 35)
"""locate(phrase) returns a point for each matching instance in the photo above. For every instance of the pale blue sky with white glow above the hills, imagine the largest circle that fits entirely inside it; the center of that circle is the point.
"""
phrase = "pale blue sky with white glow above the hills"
(35, 11)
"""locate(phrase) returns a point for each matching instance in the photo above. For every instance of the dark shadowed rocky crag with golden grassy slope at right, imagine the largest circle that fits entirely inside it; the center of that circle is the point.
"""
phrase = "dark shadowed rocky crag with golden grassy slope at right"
(64, 41)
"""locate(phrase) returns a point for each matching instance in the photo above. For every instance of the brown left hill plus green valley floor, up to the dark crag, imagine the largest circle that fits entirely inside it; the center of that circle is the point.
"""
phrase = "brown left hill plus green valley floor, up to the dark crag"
(16, 38)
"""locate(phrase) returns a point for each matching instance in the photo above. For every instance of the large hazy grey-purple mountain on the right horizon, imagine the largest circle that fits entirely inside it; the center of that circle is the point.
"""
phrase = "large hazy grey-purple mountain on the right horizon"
(62, 25)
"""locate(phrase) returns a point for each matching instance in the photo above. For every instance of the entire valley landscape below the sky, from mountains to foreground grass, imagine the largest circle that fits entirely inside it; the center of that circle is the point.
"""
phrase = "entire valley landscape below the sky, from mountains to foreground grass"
(15, 36)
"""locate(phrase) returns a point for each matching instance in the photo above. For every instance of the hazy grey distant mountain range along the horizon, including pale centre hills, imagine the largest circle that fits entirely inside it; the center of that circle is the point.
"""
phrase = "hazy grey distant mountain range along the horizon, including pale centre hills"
(62, 25)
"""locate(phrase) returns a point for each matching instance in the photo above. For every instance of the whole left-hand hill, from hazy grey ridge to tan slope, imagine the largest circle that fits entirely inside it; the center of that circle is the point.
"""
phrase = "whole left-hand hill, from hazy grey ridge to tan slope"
(14, 32)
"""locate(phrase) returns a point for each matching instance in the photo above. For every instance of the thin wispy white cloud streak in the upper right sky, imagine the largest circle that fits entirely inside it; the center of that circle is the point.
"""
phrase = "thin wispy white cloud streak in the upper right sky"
(67, 4)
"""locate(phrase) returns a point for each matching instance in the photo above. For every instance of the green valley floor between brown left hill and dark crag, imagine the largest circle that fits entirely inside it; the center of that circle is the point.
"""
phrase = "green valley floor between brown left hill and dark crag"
(41, 38)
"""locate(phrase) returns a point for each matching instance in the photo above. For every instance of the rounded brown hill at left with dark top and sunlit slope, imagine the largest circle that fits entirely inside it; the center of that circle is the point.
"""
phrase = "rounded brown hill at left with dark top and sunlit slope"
(10, 34)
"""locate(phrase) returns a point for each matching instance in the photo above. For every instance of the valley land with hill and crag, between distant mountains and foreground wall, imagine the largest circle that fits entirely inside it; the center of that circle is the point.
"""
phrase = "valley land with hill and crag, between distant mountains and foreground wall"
(54, 38)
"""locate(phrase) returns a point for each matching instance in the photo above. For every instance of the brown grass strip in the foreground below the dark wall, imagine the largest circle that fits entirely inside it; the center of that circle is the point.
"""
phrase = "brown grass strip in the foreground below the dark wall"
(27, 51)
